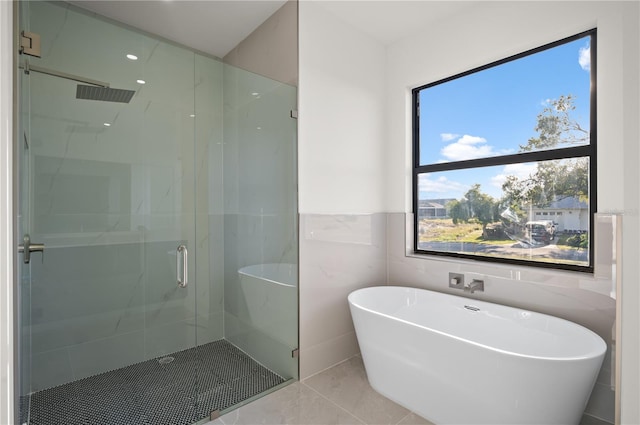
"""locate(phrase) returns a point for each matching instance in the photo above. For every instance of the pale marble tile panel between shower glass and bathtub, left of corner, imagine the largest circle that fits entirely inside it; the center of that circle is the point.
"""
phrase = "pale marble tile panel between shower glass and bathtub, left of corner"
(338, 254)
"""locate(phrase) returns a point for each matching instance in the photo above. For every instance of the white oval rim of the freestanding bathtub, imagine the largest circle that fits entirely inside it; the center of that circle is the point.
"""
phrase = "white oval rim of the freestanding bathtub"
(592, 355)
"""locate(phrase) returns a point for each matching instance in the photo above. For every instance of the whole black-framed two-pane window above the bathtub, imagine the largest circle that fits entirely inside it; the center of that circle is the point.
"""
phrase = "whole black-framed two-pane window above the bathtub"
(505, 159)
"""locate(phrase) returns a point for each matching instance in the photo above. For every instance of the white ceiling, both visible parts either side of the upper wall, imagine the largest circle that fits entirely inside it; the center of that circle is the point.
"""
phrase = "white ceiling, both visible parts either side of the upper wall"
(217, 26)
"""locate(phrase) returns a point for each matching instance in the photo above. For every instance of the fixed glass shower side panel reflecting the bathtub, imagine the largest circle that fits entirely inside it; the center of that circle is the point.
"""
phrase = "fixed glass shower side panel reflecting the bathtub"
(261, 294)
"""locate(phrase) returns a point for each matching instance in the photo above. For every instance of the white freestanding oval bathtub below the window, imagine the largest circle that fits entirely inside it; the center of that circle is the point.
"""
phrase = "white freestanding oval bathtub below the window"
(455, 360)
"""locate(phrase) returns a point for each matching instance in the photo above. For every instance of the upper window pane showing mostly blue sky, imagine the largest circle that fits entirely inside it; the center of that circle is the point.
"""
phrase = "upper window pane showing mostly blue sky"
(537, 102)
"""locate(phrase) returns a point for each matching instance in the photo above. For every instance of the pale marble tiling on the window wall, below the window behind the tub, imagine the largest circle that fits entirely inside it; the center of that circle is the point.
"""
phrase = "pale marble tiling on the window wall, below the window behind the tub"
(574, 296)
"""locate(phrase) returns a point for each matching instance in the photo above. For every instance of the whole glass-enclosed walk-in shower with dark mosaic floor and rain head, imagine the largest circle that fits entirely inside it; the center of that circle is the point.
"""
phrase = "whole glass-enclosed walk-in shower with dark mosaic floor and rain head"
(148, 176)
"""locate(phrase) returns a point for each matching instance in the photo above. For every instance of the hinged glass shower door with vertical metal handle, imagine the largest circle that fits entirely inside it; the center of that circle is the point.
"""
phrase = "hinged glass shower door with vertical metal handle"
(109, 308)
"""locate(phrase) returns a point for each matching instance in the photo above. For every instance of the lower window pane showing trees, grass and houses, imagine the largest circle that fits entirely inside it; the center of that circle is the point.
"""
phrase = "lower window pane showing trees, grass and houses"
(533, 211)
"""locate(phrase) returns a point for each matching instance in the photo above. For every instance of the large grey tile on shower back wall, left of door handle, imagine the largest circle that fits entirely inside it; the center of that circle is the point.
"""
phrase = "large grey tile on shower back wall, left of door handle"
(83, 293)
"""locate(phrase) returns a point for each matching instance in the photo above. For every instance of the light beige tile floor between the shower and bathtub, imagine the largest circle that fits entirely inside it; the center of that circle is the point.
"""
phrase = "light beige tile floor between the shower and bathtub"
(339, 395)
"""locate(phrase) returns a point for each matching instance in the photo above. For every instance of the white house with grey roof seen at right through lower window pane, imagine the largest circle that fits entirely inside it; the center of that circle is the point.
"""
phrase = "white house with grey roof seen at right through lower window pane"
(570, 215)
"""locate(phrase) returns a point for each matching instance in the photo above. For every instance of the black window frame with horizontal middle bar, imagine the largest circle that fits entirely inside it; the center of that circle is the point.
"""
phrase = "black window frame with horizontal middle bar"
(589, 151)
